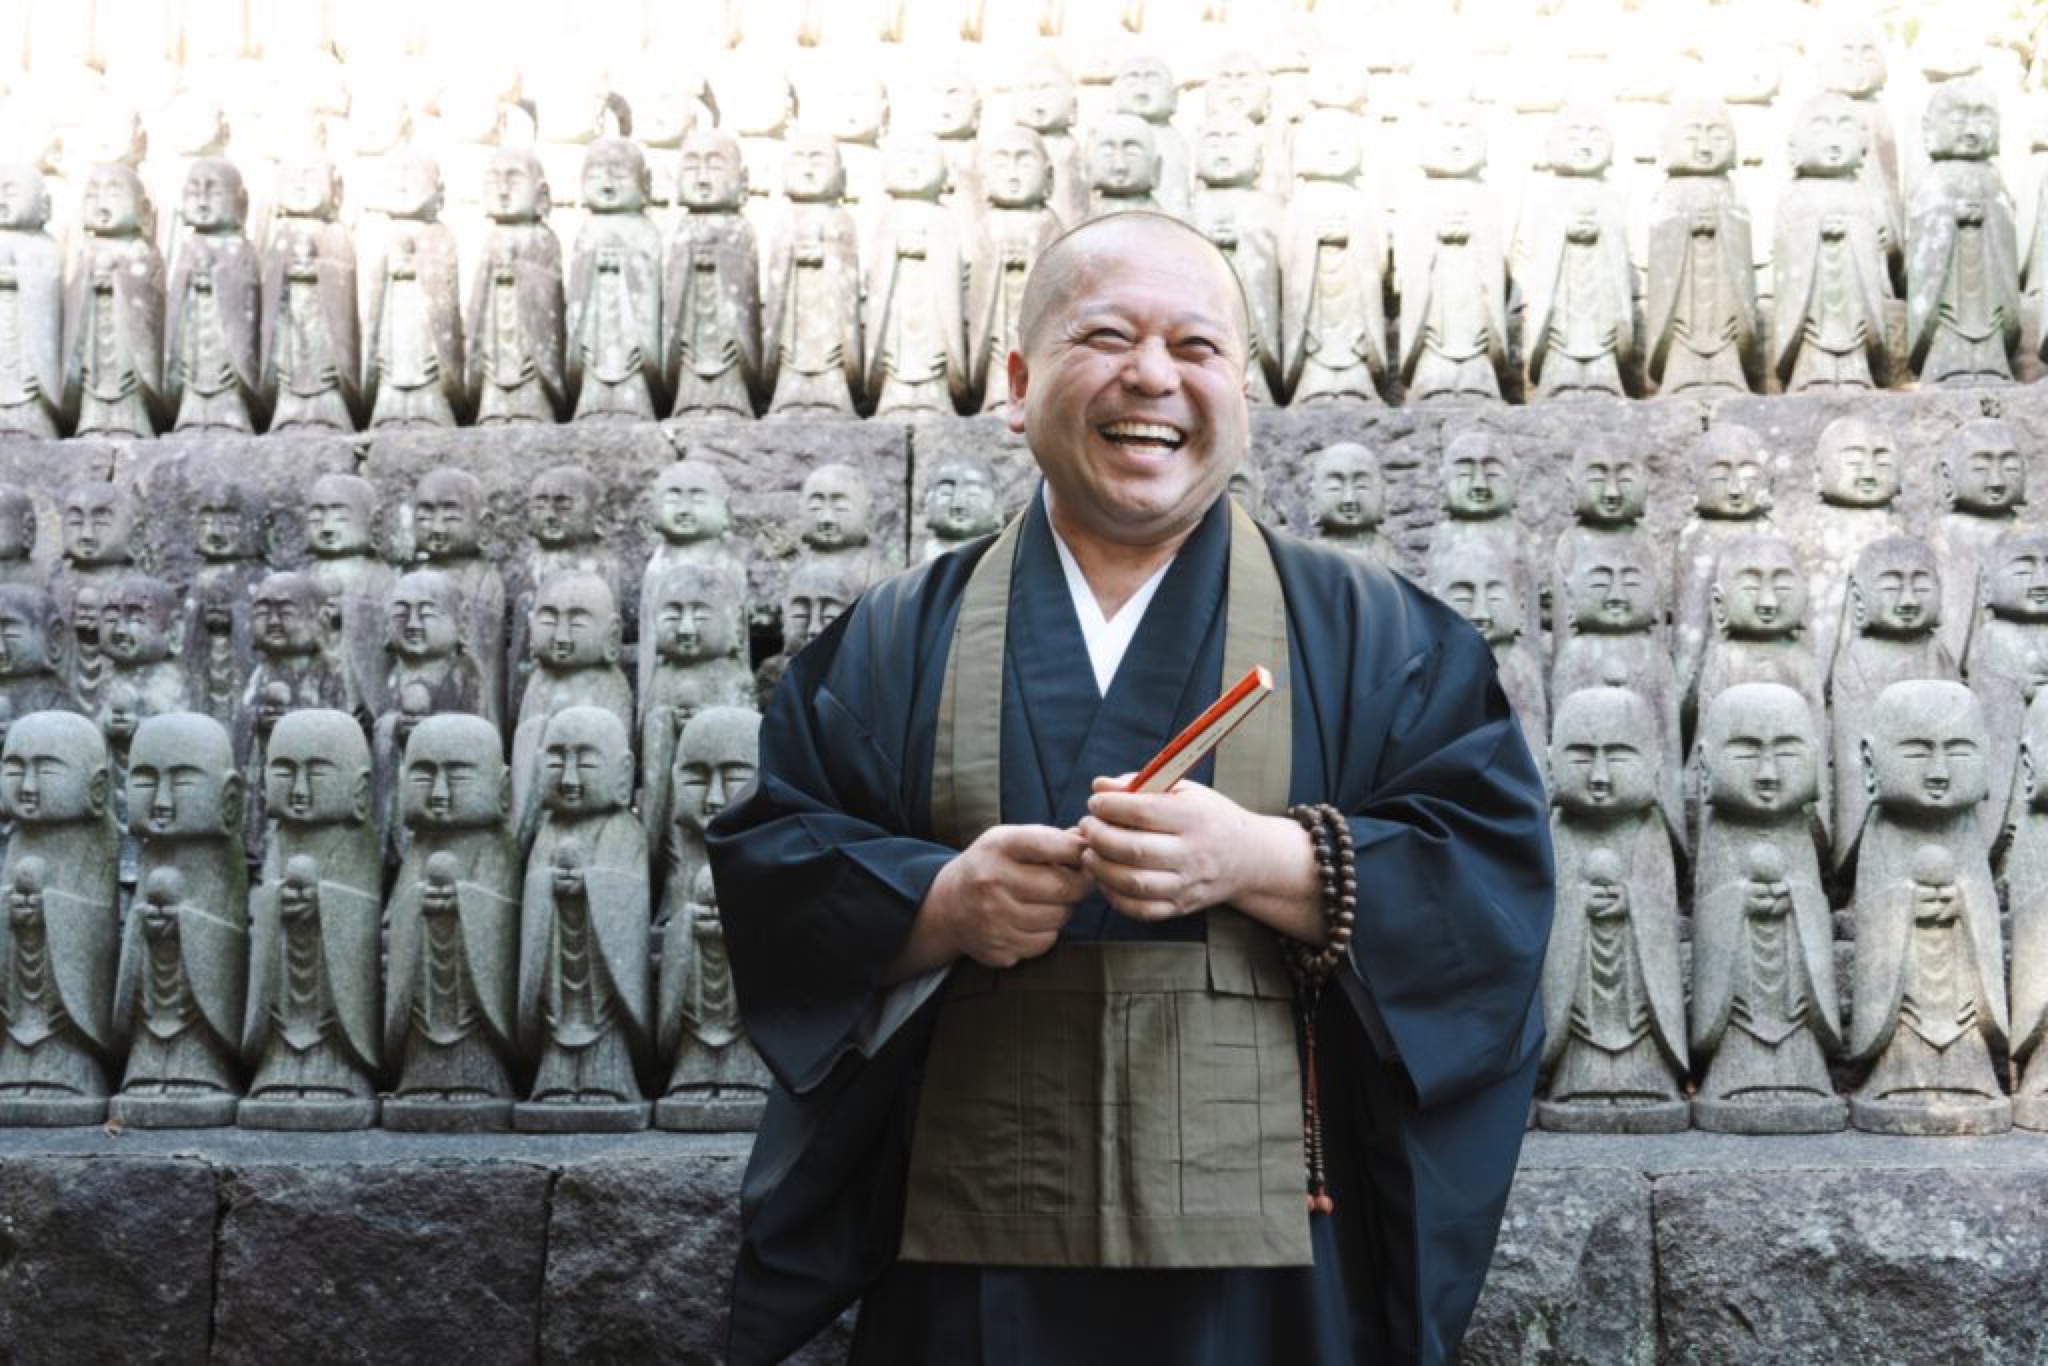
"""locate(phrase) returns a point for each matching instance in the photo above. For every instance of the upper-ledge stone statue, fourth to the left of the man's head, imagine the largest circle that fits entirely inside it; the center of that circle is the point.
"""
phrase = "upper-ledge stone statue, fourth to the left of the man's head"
(712, 300)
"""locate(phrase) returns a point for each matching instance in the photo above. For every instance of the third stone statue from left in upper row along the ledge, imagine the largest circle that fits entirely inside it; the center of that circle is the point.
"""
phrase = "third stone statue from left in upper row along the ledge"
(216, 284)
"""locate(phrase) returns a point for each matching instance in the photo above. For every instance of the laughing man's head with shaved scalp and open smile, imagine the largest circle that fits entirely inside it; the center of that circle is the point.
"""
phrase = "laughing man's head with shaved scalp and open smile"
(1132, 380)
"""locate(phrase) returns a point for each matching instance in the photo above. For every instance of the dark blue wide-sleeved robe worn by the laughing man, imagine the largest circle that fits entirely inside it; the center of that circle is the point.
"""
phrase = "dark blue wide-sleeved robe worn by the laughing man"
(1428, 1054)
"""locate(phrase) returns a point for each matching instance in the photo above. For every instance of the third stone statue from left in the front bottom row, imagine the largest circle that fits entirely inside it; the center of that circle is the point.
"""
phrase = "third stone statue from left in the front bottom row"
(314, 1005)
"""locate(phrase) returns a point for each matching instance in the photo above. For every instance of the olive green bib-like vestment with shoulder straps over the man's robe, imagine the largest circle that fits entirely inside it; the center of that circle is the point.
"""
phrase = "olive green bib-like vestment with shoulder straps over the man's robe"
(1113, 1103)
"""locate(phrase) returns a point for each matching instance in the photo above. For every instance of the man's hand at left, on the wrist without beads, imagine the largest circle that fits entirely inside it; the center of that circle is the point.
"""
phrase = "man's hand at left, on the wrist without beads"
(1000, 902)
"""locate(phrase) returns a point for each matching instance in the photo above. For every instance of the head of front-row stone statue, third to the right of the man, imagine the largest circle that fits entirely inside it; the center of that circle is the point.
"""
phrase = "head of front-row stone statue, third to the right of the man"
(1926, 749)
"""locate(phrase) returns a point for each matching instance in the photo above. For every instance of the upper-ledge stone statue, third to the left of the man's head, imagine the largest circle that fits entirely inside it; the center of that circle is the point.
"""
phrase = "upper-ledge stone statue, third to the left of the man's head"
(812, 290)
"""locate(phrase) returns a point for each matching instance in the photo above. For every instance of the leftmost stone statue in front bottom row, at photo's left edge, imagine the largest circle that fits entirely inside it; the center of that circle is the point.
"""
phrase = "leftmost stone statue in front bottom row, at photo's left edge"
(60, 935)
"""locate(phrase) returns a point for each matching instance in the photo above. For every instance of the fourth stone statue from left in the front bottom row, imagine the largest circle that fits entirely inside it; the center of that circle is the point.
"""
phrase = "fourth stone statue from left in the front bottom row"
(452, 1011)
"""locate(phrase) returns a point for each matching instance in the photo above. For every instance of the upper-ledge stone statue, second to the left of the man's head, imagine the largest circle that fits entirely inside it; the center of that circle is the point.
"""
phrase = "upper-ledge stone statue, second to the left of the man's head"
(912, 323)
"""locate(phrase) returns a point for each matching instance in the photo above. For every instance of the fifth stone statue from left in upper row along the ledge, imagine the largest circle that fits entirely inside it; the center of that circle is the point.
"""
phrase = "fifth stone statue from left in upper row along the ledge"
(413, 316)
